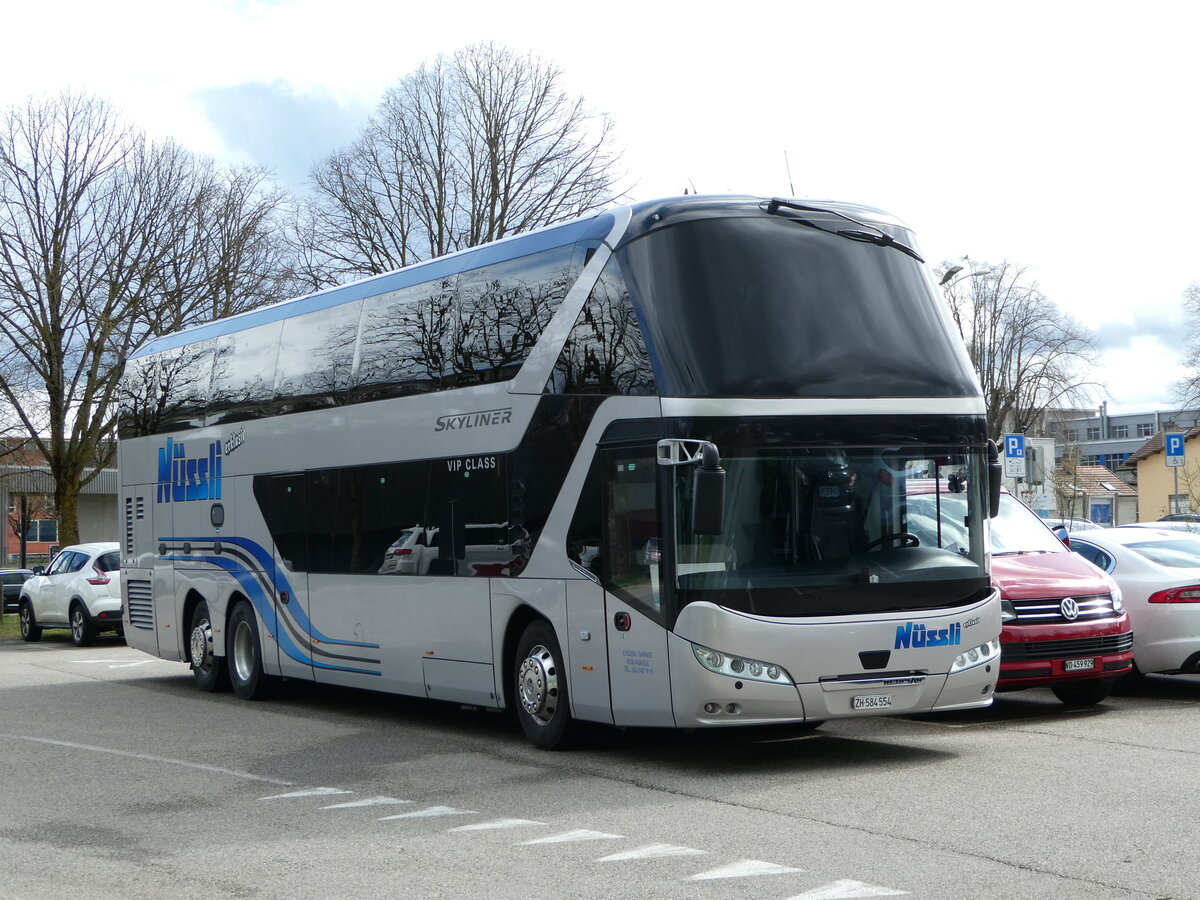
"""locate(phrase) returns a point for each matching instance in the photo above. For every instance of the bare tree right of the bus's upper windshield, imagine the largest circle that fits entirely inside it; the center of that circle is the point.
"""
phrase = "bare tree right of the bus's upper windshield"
(1030, 356)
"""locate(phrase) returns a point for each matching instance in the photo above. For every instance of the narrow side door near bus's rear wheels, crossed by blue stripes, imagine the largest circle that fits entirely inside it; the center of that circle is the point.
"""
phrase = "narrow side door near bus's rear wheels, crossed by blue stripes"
(284, 609)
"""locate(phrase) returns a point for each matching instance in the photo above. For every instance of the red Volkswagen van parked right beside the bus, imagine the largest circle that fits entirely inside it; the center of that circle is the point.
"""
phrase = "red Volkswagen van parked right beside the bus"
(1064, 621)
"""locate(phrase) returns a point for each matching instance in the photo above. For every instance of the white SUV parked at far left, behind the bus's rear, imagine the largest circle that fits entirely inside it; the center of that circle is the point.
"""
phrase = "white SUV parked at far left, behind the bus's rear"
(81, 591)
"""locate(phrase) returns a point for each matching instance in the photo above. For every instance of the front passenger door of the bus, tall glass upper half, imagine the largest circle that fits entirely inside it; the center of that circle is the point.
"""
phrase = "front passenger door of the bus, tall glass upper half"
(632, 566)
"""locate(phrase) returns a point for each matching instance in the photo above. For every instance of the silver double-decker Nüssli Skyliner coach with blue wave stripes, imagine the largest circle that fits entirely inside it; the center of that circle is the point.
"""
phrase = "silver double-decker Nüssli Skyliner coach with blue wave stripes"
(646, 469)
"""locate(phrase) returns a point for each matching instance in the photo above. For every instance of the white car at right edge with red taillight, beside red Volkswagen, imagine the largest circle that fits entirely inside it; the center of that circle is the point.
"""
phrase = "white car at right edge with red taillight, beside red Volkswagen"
(1159, 572)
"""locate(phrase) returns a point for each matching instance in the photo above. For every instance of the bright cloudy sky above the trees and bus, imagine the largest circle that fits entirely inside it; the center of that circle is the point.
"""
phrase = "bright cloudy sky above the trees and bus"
(1059, 136)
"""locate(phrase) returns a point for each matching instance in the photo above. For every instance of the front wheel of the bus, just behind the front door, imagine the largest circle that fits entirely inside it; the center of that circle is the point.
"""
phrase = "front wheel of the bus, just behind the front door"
(541, 689)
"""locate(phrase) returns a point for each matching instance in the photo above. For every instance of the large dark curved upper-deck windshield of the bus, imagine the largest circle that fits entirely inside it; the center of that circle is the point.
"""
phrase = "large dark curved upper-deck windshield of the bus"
(771, 308)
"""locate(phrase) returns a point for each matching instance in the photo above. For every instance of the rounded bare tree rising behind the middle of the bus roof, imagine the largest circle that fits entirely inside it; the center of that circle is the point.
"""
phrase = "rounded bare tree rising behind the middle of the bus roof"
(463, 152)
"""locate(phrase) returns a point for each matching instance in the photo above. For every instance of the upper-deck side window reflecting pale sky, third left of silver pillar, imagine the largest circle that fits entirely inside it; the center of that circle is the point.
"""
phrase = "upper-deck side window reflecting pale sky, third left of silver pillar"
(317, 358)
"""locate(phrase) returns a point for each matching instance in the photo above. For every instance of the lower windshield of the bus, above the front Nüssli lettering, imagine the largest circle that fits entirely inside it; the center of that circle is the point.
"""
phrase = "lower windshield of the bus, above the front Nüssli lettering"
(820, 532)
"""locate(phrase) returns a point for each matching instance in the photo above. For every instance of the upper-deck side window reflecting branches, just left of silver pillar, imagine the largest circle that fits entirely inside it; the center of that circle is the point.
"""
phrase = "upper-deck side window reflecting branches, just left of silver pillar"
(502, 311)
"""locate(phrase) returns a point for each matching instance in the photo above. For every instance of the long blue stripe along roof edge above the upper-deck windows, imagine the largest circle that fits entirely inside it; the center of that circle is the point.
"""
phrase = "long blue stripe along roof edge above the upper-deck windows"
(593, 229)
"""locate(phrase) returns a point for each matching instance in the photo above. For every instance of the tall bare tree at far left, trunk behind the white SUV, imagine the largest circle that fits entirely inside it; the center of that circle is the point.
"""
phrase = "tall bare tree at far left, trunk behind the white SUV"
(107, 241)
